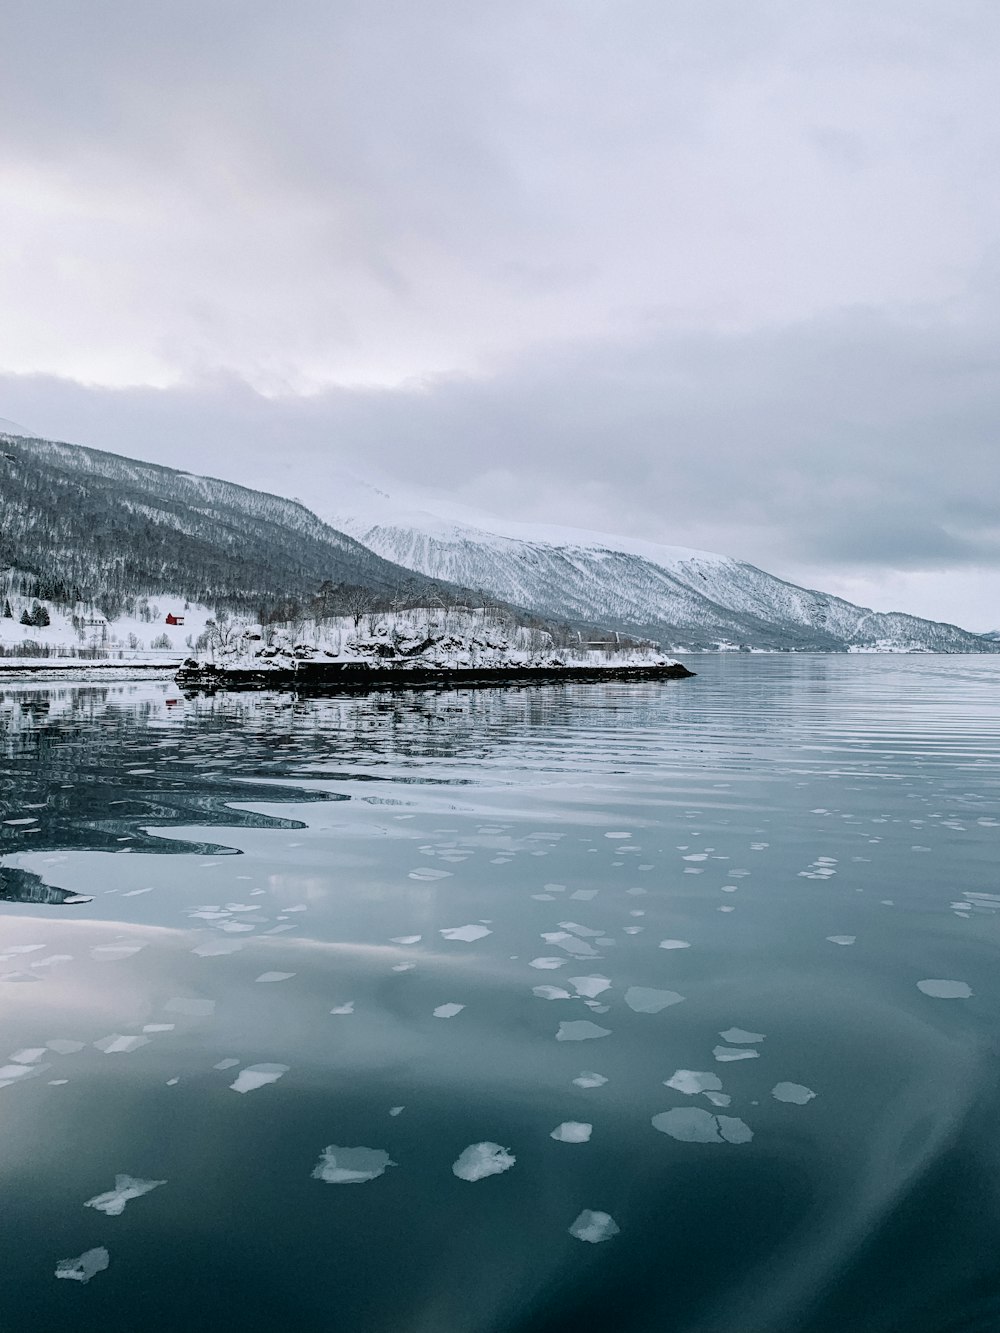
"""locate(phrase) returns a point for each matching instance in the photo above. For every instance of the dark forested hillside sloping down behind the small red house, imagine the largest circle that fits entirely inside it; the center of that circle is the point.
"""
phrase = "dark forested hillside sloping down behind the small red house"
(82, 526)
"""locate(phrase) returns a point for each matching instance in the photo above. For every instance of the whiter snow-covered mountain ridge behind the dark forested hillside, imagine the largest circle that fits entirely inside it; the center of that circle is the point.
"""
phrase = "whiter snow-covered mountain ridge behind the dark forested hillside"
(682, 599)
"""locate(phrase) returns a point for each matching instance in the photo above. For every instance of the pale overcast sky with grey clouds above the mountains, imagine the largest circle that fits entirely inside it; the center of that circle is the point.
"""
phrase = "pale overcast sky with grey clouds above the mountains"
(718, 274)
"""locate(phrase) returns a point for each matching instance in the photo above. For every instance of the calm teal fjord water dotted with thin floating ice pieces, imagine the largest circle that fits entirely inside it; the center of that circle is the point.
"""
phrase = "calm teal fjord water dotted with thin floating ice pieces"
(737, 936)
